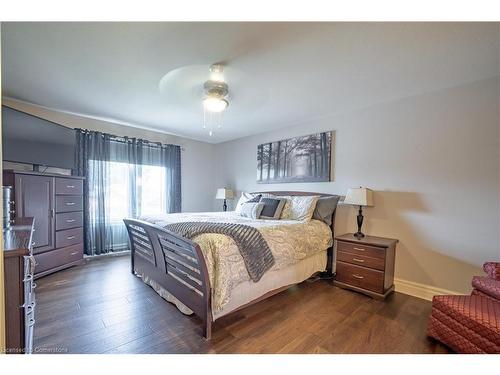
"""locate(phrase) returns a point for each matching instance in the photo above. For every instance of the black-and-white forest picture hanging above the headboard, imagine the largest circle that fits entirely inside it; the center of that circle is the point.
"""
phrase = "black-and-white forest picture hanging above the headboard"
(301, 159)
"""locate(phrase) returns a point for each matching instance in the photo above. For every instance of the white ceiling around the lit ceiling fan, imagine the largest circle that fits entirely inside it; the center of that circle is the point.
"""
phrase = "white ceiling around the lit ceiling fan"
(284, 73)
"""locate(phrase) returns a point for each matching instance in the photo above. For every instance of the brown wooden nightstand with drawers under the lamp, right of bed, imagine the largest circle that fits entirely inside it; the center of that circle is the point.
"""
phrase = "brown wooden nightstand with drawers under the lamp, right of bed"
(366, 265)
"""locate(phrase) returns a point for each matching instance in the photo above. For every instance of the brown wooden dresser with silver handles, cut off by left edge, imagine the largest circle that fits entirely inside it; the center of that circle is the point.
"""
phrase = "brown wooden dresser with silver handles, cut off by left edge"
(19, 287)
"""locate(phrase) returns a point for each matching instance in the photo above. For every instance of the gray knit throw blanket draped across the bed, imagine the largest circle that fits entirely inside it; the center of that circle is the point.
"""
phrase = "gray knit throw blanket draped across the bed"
(251, 244)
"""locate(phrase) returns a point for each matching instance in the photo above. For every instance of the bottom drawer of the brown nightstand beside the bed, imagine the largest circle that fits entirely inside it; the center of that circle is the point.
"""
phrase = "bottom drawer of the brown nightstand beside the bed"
(360, 276)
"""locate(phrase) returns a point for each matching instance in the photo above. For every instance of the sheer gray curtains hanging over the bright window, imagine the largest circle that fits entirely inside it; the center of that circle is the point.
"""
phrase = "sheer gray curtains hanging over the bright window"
(94, 152)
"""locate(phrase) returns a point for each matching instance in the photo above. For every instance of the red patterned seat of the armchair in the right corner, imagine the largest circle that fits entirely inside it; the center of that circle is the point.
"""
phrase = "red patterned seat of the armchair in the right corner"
(478, 314)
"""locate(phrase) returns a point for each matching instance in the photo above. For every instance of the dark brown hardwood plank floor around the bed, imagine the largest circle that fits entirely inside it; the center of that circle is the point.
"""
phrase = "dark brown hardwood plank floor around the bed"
(101, 307)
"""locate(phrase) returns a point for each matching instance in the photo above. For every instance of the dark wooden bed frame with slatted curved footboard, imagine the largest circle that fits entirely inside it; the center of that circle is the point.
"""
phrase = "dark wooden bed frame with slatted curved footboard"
(178, 265)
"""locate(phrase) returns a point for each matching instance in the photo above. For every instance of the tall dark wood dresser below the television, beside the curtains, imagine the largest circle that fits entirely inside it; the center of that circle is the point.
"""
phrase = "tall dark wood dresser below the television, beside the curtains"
(56, 203)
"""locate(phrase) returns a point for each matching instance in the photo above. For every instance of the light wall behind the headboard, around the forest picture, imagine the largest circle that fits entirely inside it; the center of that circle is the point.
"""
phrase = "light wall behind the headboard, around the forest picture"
(434, 164)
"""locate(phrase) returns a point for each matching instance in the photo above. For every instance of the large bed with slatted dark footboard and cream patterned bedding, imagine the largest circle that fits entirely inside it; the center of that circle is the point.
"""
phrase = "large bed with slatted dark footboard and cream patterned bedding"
(213, 283)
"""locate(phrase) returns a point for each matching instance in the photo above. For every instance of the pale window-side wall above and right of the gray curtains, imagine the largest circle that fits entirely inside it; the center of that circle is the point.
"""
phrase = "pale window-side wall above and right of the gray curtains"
(197, 158)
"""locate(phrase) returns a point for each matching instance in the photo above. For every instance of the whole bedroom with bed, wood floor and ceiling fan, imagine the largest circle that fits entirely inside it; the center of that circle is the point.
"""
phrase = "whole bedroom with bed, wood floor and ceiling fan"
(250, 187)
